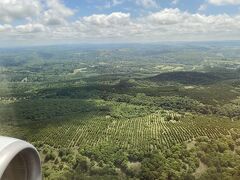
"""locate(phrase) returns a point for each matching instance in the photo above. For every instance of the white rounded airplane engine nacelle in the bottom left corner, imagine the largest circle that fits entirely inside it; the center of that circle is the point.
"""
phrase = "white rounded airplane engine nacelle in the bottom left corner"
(19, 160)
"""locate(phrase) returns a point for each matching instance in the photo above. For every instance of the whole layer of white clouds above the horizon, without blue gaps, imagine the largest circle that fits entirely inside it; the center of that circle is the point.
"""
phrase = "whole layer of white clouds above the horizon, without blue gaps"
(47, 21)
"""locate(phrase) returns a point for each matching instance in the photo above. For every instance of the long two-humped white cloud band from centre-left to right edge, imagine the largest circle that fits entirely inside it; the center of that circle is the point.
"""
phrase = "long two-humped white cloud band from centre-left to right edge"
(168, 24)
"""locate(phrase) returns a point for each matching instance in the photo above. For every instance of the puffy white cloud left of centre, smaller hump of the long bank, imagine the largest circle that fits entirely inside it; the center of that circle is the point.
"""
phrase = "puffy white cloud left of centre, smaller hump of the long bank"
(116, 25)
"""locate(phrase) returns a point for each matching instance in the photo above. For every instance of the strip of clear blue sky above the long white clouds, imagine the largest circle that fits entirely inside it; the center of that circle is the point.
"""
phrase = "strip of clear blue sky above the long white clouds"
(88, 7)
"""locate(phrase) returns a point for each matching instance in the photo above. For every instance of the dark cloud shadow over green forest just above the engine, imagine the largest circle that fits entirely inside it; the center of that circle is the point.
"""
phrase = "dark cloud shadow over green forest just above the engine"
(31, 116)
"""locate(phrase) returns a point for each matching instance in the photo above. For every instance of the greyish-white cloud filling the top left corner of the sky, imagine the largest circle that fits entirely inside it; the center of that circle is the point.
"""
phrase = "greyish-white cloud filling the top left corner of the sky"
(11, 10)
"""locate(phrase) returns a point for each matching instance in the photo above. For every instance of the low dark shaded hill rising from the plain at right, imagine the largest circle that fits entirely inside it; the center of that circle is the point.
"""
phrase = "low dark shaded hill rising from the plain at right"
(187, 77)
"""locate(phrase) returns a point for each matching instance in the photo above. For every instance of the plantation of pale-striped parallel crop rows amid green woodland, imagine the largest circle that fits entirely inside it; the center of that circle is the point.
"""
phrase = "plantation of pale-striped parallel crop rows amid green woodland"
(149, 133)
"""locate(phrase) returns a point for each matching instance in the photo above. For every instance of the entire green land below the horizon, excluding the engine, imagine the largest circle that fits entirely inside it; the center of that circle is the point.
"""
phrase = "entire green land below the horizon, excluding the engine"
(126, 111)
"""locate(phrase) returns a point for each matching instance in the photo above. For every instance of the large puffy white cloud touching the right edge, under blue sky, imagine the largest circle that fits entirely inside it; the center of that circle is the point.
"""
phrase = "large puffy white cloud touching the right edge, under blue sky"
(184, 24)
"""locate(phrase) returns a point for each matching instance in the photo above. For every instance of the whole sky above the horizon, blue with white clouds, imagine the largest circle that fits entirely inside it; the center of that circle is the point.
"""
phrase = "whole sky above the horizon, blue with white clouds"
(38, 22)
